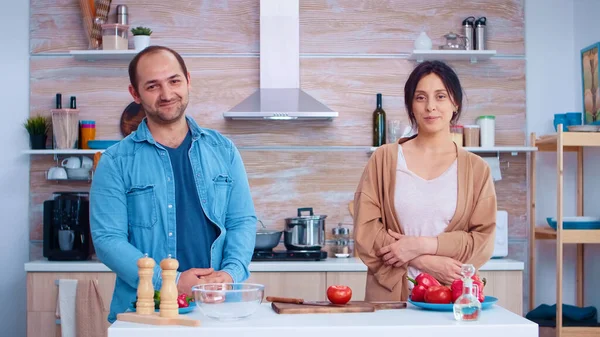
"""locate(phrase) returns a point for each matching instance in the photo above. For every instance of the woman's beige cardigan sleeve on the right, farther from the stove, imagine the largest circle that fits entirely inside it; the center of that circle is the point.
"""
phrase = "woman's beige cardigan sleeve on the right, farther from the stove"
(475, 245)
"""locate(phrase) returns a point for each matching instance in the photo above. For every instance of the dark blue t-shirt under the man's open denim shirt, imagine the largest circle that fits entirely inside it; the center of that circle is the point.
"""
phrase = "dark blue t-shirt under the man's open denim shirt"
(195, 232)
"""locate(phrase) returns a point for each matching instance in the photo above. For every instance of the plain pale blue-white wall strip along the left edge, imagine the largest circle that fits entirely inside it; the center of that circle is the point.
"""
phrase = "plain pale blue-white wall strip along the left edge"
(14, 171)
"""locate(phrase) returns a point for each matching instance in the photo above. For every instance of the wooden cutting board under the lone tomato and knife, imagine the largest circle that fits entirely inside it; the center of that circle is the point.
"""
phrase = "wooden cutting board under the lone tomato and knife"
(352, 306)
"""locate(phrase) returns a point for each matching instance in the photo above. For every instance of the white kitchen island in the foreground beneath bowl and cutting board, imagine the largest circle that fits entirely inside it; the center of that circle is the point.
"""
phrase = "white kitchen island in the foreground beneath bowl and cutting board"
(412, 321)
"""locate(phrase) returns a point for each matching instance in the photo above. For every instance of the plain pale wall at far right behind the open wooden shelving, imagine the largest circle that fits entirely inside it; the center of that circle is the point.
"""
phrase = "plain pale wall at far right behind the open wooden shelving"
(555, 32)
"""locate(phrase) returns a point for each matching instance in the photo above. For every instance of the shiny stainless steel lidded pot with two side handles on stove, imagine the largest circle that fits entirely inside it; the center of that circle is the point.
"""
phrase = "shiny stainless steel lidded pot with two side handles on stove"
(304, 232)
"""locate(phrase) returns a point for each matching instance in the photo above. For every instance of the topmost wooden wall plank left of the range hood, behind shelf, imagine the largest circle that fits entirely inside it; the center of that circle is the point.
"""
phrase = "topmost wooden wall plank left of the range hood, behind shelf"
(206, 26)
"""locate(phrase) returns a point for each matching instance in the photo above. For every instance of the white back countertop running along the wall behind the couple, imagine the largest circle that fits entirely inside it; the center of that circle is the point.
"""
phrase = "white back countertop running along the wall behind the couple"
(330, 264)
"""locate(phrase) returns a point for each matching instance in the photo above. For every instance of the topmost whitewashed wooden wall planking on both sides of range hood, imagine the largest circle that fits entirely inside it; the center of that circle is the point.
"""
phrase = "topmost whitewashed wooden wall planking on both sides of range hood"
(342, 26)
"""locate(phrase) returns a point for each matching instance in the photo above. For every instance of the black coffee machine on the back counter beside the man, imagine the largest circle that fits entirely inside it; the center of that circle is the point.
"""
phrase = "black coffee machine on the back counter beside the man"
(67, 227)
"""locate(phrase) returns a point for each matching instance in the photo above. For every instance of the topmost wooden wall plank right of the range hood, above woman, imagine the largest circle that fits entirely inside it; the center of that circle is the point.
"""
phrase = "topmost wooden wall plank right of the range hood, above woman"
(387, 27)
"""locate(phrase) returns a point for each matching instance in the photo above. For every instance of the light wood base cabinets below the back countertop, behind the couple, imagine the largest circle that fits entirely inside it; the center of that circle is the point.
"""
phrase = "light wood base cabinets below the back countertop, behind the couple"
(42, 290)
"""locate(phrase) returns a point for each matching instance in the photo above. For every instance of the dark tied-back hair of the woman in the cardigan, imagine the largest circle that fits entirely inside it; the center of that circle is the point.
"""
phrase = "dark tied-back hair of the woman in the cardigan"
(448, 77)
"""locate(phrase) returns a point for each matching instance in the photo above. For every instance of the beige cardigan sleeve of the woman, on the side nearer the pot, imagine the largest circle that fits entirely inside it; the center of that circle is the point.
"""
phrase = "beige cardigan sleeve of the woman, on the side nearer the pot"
(370, 234)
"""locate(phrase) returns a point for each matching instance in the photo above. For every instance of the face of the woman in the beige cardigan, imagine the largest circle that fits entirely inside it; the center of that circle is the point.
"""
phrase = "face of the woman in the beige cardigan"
(432, 105)
